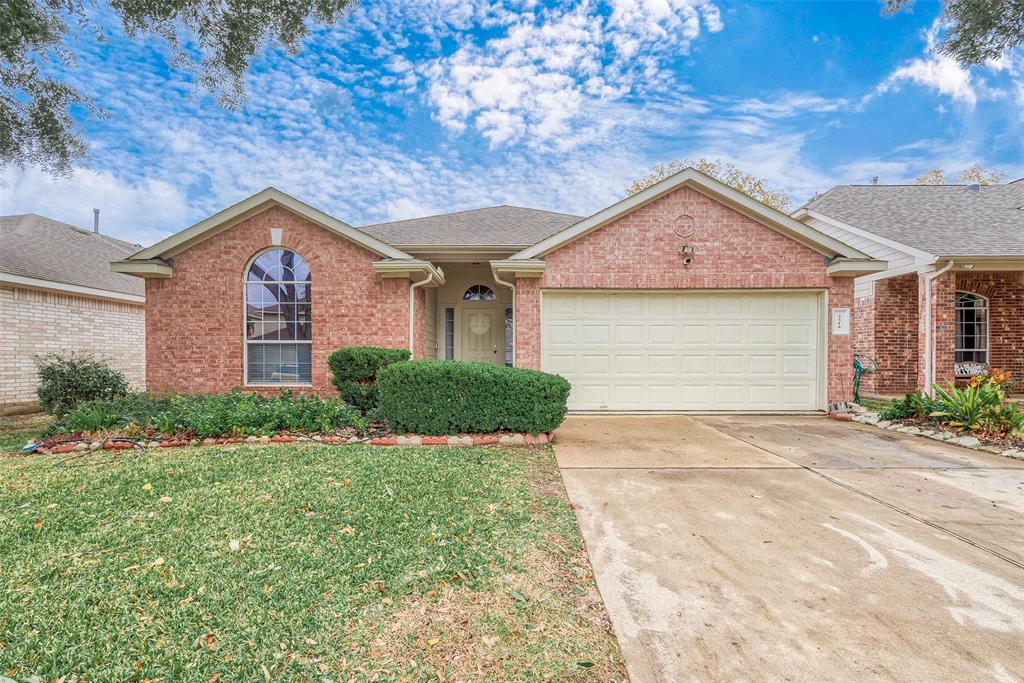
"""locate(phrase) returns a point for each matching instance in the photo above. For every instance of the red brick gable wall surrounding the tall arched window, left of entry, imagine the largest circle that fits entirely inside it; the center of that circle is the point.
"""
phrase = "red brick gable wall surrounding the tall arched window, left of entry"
(195, 319)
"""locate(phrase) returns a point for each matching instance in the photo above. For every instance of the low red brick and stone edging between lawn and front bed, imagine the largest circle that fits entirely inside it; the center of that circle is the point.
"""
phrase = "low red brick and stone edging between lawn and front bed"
(509, 440)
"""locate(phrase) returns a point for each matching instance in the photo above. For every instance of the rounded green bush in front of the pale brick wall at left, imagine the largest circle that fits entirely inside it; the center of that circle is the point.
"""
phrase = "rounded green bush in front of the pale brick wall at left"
(65, 381)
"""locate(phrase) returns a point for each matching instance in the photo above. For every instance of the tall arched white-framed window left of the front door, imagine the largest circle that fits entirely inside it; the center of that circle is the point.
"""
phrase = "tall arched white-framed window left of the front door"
(279, 320)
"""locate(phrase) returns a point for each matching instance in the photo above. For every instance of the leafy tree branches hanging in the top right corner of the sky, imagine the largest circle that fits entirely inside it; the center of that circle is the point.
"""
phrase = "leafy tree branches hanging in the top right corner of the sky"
(977, 30)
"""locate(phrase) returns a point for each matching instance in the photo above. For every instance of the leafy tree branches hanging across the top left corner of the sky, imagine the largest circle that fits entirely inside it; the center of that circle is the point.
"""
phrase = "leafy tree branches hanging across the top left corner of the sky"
(217, 40)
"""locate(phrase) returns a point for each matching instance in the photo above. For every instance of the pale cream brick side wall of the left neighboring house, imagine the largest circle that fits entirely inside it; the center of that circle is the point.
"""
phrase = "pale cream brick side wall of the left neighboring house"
(35, 322)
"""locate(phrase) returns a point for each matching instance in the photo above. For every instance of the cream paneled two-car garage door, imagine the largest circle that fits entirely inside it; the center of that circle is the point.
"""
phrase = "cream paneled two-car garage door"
(738, 351)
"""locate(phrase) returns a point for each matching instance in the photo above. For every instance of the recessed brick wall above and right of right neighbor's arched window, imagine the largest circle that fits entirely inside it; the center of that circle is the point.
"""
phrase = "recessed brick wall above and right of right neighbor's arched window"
(1005, 292)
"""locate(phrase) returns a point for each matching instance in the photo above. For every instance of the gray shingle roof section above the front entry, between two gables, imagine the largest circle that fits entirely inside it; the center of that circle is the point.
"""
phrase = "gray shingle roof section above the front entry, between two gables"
(493, 226)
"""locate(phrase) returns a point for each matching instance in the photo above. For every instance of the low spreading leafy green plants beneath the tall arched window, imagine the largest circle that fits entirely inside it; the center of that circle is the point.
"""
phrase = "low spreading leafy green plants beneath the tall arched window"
(202, 416)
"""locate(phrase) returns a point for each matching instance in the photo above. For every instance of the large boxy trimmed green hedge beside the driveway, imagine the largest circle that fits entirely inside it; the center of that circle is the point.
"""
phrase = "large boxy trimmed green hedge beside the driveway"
(451, 398)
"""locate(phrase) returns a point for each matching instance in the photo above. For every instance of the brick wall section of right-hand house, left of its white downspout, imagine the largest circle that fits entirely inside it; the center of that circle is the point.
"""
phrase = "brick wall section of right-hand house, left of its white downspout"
(895, 335)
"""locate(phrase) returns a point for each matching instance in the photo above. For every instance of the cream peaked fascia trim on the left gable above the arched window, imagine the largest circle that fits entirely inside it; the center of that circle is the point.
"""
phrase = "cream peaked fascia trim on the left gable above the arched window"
(253, 205)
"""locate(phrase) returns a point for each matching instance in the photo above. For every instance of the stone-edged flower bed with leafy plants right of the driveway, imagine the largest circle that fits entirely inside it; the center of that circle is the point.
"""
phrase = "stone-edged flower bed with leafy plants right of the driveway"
(978, 416)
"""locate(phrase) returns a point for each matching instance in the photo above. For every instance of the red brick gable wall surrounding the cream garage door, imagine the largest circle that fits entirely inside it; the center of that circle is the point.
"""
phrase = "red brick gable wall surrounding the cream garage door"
(641, 251)
